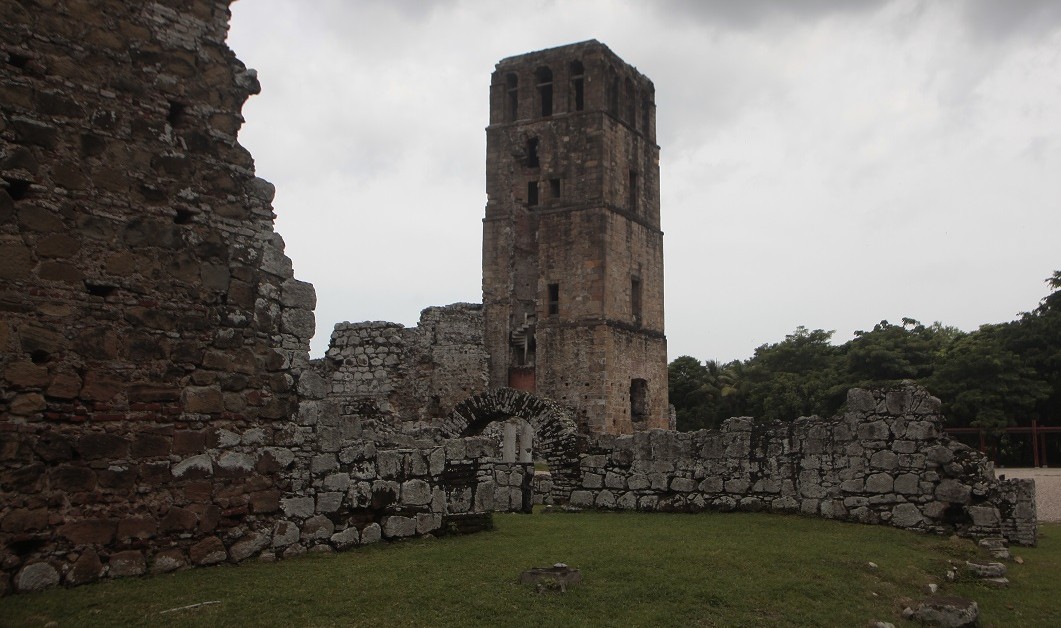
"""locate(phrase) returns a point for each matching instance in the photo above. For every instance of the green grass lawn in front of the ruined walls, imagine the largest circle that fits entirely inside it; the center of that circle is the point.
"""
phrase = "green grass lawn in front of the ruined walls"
(639, 570)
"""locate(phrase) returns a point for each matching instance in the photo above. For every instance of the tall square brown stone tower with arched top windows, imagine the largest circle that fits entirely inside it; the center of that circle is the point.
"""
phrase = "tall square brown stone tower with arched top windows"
(572, 247)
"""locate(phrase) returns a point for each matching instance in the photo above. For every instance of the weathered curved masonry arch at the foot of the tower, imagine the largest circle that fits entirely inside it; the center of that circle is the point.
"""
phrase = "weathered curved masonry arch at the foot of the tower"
(556, 433)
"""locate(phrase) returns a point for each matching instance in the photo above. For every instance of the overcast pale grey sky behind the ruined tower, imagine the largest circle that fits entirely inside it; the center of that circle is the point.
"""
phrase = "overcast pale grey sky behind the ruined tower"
(825, 164)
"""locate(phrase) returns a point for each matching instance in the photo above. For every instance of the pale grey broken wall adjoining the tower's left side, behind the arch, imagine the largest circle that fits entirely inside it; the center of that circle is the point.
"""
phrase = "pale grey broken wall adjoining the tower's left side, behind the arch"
(385, 375)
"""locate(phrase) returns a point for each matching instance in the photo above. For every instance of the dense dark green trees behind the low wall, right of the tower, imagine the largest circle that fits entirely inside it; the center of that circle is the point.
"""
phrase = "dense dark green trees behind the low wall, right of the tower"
(999, 376)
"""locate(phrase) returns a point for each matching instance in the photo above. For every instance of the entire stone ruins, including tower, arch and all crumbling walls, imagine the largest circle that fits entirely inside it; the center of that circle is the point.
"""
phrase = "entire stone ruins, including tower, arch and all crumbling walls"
(159, 409)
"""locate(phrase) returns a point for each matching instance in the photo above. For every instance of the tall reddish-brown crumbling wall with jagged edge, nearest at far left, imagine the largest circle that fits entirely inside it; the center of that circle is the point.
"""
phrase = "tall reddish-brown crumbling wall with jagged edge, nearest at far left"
(152, 335)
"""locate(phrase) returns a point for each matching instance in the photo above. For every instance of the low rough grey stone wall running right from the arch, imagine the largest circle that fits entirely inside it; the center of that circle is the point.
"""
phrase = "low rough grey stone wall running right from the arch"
(885, 461)
